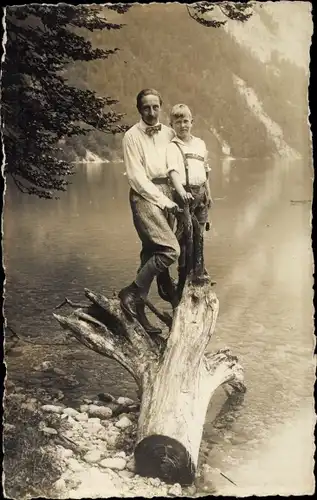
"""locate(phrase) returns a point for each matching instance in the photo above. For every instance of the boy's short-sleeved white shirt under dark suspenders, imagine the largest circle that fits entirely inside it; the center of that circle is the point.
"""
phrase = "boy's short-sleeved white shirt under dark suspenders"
(197, 156)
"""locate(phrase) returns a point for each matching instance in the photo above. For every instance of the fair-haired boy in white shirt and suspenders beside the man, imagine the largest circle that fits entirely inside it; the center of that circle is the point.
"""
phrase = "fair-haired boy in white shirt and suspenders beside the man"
(188, 168)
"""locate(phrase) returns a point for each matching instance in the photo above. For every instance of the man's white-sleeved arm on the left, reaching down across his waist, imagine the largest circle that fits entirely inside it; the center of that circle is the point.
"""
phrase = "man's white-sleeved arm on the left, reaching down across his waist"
(137, 177)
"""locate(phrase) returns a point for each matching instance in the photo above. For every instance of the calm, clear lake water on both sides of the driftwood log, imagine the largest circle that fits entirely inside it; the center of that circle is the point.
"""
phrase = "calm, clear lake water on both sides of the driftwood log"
(259, 250)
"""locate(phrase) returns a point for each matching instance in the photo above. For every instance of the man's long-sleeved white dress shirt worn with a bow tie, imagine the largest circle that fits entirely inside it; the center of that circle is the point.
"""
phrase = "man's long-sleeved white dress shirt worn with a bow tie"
(145, 159)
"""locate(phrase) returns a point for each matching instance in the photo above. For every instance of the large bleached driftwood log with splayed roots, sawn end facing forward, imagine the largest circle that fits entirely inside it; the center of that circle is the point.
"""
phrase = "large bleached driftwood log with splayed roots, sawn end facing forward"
(175, 376)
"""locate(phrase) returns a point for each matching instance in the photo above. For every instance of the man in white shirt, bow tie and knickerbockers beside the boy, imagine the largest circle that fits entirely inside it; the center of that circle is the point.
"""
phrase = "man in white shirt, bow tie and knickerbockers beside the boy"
(144, 149)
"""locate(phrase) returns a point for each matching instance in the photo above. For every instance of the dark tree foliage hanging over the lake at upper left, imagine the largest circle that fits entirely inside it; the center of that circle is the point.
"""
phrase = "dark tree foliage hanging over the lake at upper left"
(39, 107)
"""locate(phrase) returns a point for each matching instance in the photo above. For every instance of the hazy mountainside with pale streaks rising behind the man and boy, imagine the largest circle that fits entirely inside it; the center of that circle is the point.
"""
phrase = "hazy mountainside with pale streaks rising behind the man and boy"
(248, 97)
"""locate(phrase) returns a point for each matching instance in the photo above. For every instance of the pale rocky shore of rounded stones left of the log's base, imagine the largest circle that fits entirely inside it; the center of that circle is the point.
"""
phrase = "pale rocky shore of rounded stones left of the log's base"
(92, 445)
